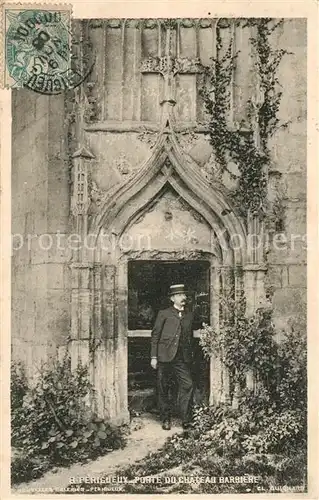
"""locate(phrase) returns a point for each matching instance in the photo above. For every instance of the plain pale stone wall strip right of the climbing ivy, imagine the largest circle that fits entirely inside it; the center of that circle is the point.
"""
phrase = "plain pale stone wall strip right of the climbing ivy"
(287, 266)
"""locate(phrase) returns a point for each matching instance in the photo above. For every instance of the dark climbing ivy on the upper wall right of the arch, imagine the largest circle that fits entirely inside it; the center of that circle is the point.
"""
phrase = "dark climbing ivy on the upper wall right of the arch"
(249, 150)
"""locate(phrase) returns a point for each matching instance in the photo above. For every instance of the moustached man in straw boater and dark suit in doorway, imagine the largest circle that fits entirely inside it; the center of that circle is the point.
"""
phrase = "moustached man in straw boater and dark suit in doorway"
(172, 353)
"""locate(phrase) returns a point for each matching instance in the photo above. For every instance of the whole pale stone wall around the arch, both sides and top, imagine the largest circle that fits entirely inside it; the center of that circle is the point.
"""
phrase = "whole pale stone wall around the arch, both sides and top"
(117, 118)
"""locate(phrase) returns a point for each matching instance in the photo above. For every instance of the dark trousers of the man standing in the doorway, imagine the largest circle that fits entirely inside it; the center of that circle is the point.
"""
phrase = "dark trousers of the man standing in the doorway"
(182, 372)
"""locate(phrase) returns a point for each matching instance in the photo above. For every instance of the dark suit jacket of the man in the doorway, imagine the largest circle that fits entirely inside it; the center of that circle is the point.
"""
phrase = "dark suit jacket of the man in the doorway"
(166, 334)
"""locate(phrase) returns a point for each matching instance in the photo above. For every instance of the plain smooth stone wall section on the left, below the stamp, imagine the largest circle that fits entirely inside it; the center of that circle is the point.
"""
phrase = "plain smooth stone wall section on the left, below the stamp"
(40, 211)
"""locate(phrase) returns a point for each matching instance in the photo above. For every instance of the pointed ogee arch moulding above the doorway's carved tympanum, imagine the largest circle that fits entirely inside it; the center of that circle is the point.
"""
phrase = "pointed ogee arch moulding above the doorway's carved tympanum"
(168, 166)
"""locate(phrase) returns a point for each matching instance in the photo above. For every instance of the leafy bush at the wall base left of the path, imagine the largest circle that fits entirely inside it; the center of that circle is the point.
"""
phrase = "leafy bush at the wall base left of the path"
(53, 420)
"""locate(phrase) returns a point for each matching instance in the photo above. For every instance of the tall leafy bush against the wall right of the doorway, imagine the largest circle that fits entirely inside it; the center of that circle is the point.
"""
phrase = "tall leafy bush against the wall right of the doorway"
(272, 418)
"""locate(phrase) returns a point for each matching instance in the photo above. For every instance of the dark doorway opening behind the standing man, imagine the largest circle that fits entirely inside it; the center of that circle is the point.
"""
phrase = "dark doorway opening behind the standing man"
(148, 286)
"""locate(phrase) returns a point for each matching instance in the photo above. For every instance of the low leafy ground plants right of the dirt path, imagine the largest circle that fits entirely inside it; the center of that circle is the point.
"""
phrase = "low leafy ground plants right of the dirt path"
(223, 442)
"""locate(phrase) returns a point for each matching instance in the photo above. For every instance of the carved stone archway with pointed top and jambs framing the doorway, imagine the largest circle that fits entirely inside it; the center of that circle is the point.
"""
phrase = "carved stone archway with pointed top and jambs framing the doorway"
(99, 298)
